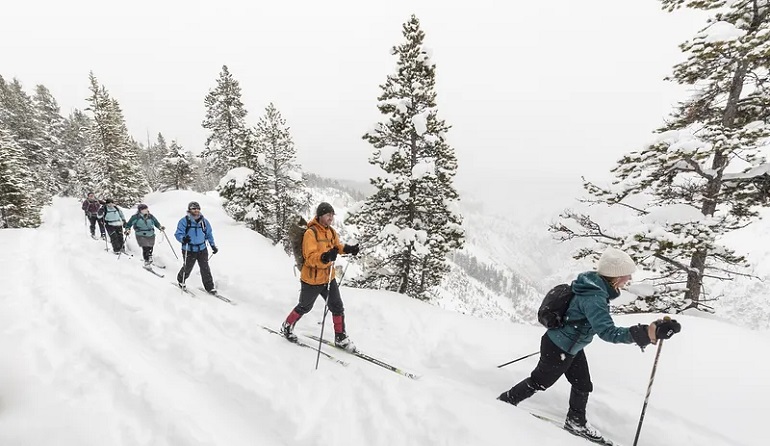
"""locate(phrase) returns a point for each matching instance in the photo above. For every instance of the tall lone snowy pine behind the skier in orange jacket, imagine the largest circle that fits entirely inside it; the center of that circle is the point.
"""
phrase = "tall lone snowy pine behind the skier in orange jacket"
(411, 224)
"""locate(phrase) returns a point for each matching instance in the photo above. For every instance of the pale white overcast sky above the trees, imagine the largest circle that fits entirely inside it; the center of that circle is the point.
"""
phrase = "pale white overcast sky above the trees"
(538, 93)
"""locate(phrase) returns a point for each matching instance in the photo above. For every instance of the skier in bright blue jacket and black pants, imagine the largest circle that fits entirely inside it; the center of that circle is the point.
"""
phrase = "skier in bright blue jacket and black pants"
(193, 231)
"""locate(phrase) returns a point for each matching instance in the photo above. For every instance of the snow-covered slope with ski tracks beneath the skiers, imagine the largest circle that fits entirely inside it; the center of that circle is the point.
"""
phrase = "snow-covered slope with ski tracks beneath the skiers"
(96, 351)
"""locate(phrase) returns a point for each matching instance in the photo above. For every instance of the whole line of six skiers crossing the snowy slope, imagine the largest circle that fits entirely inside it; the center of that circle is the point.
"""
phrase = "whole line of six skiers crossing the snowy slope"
(561, 348)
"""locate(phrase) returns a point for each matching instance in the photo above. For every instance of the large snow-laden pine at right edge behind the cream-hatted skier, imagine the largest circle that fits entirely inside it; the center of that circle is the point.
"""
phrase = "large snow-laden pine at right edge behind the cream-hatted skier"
(704, 175)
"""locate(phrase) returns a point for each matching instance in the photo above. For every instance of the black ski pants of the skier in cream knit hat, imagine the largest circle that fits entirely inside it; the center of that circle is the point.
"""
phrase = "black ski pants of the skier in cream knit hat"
(553, 363)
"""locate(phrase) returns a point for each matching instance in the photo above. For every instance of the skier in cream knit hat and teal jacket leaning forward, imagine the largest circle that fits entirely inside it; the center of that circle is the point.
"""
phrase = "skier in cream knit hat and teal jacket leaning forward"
(588, 314)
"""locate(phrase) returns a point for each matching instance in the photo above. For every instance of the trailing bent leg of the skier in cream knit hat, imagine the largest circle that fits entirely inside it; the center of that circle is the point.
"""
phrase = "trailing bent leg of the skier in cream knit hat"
(552, 364)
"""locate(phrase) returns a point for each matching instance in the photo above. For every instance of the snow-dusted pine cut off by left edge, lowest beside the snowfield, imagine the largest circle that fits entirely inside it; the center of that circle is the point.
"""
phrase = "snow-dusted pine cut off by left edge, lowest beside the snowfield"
(16, 180)
